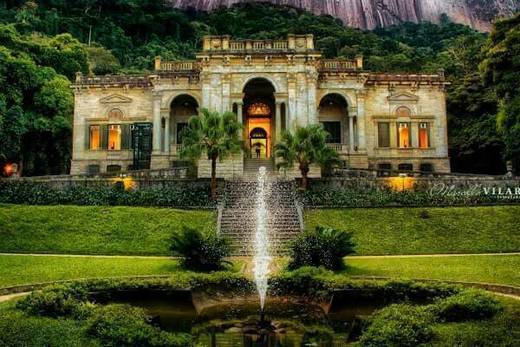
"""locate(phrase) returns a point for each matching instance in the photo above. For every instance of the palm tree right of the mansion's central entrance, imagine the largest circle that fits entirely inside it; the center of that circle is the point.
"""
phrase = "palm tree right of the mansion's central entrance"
(306, 146)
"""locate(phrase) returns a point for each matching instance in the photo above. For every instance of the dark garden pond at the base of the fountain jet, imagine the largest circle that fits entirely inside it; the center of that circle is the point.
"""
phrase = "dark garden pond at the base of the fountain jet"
(236, 321)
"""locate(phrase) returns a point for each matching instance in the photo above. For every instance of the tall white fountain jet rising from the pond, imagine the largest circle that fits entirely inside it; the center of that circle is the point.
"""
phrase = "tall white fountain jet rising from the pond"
(261, 257)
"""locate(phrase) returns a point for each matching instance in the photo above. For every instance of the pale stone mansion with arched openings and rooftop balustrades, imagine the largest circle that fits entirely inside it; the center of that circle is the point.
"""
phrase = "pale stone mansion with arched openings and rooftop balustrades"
(375, 120)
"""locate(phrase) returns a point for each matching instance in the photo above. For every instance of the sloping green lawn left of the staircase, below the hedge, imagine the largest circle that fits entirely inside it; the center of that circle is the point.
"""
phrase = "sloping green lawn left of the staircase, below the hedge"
(94, 230)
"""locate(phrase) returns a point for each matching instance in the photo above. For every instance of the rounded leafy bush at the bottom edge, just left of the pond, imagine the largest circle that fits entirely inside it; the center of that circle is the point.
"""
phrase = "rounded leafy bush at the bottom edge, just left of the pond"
(123, 325)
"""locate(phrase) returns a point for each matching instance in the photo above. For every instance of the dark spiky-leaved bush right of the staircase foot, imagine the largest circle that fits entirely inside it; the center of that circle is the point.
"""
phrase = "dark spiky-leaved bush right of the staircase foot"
(324, 247)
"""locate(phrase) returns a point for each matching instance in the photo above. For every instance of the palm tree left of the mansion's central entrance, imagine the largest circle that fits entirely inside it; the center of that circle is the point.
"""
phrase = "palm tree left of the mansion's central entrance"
(217, 135)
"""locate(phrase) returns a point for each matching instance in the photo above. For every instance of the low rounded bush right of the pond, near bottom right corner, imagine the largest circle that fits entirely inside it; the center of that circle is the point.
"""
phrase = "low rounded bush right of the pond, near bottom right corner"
(467, 305)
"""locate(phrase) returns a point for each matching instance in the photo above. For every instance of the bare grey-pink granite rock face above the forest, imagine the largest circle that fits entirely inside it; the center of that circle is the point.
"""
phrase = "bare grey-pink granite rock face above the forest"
(368, 14)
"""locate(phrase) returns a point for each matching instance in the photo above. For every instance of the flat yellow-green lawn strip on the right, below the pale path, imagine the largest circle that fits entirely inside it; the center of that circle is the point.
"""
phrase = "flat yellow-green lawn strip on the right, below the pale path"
(501, 269)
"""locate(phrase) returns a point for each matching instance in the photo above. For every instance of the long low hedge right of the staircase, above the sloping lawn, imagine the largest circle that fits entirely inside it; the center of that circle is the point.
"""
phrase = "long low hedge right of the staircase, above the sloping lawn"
(370, 196)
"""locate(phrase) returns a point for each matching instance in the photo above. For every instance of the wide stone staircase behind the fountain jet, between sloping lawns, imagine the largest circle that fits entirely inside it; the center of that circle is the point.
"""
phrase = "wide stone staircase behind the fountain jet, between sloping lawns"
(237, 217)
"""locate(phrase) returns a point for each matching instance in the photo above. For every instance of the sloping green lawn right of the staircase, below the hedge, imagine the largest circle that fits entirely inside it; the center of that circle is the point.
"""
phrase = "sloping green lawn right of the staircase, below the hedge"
(447, 230)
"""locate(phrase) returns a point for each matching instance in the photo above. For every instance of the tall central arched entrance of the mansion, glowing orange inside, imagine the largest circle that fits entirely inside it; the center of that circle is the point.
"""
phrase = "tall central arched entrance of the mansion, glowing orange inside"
(259, 108)
